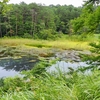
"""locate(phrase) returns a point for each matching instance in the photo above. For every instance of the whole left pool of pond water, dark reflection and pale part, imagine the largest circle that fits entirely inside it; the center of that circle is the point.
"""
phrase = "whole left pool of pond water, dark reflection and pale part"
(13, 66)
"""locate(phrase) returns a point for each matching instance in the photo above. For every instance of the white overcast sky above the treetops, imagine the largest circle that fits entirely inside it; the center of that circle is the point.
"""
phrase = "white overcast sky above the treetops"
(76, 3)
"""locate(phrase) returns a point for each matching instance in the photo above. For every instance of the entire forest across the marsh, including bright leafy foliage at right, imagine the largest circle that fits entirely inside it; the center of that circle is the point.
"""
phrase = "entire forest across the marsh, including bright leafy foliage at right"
(41, 21)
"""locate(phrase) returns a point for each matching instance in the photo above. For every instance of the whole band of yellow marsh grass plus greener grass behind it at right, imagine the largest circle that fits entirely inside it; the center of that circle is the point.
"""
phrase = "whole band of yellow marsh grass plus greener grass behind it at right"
(78, 42)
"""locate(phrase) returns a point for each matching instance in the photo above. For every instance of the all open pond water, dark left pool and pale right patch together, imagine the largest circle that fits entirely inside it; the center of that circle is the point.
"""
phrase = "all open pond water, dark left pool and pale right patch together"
(13, 66)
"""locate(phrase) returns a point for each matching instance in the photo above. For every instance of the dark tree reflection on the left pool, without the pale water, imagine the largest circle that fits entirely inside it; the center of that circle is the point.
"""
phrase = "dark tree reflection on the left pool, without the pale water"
(24, 63)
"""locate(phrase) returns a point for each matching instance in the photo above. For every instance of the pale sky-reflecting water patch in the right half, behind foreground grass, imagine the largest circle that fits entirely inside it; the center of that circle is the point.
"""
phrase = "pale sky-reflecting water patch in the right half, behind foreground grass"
(65, 66)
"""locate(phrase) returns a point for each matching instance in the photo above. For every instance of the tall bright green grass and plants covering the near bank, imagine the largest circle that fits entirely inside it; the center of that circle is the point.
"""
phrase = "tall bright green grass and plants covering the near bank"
(62, 87)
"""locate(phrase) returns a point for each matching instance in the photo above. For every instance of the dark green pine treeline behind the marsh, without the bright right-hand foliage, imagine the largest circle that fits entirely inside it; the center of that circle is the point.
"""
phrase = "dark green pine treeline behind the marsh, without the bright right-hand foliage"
(37, 20)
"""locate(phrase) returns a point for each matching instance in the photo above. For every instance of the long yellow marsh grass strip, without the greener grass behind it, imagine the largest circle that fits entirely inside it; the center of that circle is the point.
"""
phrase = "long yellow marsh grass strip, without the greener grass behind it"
(61, 44)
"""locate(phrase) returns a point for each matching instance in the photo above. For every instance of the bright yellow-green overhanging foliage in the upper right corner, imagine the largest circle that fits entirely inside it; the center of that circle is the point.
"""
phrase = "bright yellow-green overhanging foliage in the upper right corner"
(88, 21)
